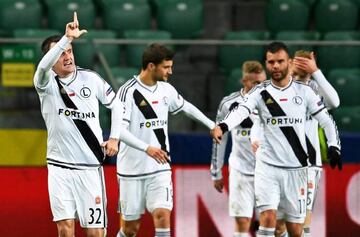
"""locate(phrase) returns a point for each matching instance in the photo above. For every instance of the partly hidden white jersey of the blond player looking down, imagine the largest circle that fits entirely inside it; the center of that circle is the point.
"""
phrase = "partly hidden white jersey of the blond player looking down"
(241, 157)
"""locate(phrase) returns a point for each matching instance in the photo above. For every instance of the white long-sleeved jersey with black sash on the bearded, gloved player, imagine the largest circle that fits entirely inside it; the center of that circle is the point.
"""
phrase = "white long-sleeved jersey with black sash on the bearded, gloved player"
(283, 112)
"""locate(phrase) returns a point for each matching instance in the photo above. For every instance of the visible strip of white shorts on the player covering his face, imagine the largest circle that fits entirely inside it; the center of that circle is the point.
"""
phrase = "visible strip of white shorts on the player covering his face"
(314, 177)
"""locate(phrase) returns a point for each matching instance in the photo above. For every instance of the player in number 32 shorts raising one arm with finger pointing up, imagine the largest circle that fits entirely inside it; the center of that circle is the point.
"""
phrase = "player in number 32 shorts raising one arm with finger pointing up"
(69, 98)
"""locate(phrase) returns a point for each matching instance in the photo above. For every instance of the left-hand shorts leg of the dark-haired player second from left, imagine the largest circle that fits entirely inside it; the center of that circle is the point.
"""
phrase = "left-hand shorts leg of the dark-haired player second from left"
(131, 198)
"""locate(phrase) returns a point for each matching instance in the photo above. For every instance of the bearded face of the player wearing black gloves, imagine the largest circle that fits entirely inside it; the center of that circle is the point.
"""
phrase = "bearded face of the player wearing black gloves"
(277, 65)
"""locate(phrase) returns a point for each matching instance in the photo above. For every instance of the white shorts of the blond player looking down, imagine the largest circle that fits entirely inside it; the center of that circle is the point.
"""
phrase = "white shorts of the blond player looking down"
(241, 194)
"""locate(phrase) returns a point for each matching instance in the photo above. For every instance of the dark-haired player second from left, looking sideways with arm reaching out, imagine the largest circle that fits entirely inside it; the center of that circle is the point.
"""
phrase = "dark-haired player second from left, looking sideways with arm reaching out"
(145, 183)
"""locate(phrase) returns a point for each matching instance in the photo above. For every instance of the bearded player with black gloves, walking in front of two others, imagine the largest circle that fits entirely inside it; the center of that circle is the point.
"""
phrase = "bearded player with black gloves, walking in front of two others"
(282, 159)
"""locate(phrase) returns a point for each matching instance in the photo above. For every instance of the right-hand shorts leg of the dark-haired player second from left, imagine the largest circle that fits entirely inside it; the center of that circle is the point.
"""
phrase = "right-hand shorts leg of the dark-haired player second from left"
(159, 192)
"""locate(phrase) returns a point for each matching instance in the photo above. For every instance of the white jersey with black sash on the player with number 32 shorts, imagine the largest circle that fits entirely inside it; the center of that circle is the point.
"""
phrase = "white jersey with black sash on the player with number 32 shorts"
(67, 144)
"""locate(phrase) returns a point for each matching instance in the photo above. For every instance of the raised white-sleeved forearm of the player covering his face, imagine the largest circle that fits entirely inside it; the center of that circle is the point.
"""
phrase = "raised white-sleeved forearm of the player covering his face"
(326, 90)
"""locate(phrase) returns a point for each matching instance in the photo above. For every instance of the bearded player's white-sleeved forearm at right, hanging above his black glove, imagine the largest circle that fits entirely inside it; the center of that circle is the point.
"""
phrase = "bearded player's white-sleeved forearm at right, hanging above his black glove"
(327, 123)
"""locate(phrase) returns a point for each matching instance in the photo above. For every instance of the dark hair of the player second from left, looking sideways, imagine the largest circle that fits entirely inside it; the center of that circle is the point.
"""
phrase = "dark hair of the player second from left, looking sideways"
(156, 53)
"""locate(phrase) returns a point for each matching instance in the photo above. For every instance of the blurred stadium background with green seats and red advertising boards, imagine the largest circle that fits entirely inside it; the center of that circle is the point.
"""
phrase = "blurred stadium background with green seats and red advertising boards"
(212, 38)
